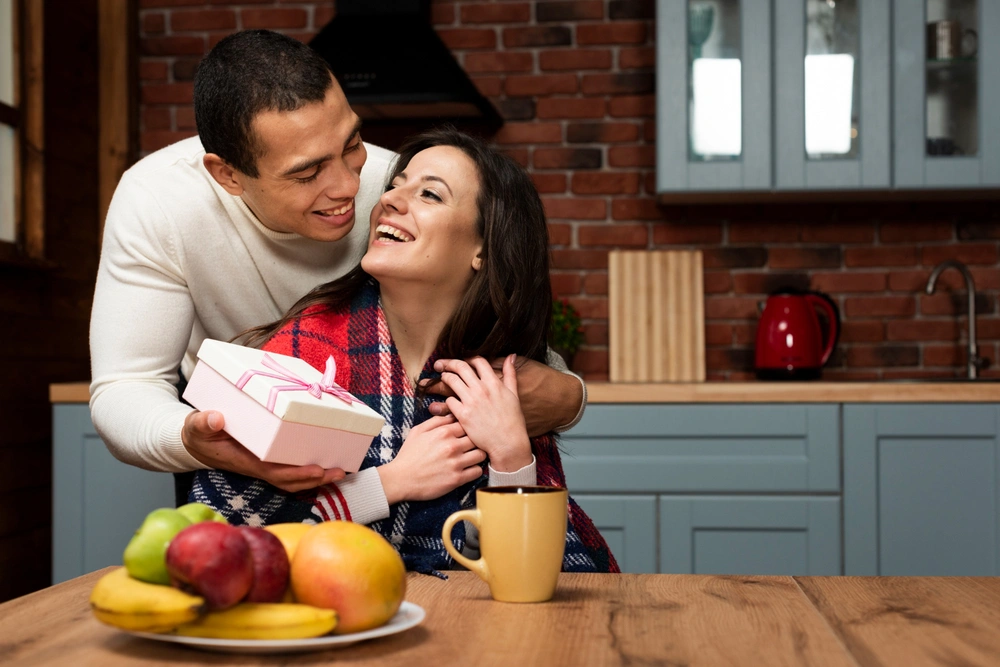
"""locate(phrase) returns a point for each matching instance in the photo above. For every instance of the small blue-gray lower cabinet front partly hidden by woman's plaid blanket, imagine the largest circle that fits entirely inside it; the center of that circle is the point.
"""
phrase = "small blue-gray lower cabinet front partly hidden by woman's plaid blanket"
(628, 524)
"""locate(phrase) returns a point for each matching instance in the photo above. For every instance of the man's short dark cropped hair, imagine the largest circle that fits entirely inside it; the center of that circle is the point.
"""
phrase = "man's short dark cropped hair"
(247, 73)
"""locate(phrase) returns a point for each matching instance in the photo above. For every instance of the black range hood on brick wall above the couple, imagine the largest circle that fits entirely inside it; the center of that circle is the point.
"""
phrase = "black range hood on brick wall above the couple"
(397, 73)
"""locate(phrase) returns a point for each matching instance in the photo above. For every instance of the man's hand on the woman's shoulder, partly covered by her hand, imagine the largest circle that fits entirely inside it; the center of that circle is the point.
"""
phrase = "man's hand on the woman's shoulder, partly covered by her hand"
(549, 398)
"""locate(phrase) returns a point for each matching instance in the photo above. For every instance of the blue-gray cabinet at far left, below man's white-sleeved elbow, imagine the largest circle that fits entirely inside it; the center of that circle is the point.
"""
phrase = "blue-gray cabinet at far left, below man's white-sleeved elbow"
(97, 501)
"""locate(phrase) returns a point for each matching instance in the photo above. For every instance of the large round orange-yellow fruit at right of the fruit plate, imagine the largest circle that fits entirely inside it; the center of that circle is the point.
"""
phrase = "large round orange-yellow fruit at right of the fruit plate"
(352, 569)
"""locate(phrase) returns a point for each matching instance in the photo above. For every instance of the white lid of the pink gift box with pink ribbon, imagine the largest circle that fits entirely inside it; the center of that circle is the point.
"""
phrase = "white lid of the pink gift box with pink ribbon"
(231, 361)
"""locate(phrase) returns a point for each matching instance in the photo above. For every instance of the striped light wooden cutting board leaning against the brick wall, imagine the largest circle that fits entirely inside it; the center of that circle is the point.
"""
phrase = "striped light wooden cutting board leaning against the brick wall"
(656, 316)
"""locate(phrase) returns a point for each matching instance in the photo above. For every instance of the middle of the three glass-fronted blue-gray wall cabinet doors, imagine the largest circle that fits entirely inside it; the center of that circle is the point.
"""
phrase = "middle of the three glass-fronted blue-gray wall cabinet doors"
(832, 94)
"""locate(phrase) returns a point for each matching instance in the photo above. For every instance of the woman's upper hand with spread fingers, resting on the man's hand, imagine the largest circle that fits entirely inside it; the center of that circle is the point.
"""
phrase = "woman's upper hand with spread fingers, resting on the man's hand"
(488, 409)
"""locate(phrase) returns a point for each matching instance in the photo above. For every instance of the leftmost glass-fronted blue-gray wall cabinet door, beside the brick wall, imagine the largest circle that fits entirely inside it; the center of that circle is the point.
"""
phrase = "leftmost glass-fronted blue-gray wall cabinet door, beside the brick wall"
(713, 95)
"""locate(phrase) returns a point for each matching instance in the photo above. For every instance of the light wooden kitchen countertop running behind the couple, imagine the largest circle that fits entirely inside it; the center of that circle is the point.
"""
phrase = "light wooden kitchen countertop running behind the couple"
(733, 392)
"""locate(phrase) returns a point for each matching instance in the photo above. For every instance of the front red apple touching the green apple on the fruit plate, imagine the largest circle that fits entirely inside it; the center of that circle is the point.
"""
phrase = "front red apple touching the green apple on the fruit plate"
(212, 560)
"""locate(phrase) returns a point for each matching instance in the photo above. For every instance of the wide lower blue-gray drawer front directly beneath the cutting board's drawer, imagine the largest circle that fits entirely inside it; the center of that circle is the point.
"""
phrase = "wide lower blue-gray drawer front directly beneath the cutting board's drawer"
(750, 535)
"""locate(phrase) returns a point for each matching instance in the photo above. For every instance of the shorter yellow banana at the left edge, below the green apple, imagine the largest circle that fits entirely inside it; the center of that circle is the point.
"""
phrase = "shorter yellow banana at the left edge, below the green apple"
(127, 603)
